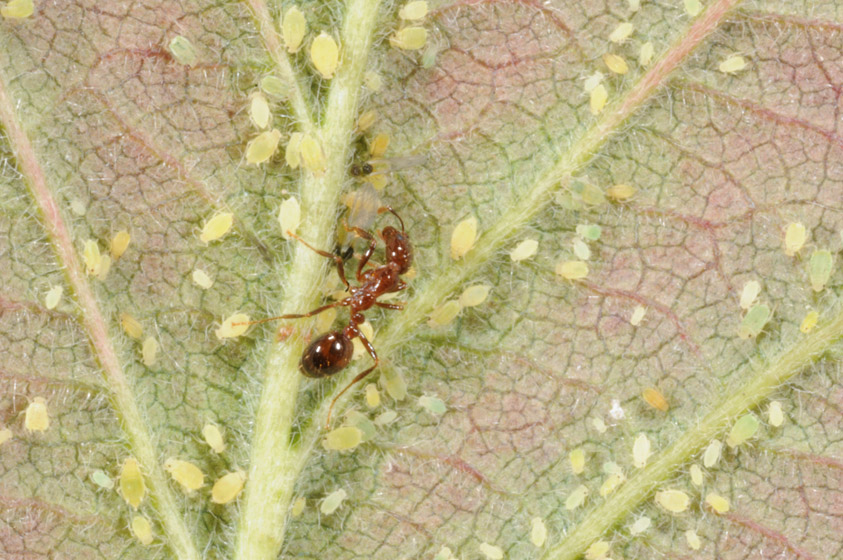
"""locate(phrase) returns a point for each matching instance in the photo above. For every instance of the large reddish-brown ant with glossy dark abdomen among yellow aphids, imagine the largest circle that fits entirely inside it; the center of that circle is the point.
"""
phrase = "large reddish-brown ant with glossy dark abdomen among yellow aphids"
(331, 352)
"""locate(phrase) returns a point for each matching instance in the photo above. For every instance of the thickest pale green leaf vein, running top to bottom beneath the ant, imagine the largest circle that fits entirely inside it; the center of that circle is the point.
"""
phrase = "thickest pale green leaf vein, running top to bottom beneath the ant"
(275, 464)
